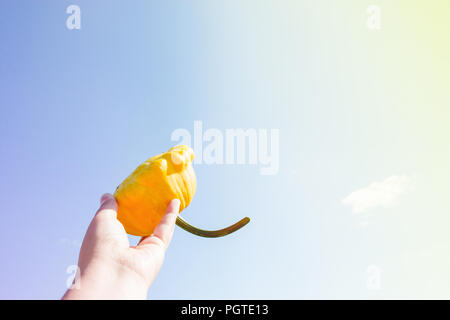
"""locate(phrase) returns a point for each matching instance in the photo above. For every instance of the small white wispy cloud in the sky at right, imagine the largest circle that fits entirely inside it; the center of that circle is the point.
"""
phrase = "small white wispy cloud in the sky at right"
(378, 194)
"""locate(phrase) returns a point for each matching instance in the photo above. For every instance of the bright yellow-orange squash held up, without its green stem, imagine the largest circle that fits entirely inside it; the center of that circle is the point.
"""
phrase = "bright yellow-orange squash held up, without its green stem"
(144, 195)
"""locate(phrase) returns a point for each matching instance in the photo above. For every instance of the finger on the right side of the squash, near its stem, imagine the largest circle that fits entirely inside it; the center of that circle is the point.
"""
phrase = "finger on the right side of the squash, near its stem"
(164, 230)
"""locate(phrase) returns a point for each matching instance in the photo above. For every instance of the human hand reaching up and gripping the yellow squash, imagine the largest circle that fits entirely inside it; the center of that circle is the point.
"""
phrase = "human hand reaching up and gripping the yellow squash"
(108, 267)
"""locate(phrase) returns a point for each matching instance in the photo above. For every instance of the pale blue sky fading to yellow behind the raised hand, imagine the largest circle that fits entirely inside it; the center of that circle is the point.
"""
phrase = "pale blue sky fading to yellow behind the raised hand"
(359, 206)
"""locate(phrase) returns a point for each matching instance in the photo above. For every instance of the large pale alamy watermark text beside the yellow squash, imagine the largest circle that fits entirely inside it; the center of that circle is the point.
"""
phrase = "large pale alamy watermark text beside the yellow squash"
(234, 146)
